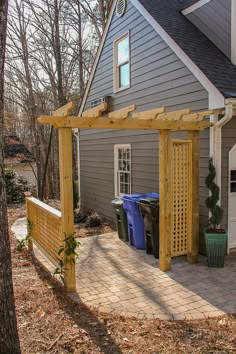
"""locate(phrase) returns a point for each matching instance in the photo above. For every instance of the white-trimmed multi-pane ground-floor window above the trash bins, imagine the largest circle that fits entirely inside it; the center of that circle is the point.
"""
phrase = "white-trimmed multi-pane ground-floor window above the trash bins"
(122, 160)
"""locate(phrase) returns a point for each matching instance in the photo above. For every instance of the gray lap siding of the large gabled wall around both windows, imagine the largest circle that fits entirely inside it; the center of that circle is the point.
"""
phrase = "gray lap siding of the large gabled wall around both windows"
(158, 78)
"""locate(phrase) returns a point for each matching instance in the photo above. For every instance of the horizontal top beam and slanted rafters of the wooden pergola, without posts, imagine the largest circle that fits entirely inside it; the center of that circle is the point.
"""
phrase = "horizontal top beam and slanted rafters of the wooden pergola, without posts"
(156, 119)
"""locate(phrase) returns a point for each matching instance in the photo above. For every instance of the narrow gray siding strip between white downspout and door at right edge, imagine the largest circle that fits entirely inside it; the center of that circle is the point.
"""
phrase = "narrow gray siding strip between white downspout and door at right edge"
(228, 141)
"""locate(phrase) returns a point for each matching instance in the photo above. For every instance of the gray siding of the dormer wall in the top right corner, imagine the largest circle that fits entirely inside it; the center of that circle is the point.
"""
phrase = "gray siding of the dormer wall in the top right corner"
(214, 20)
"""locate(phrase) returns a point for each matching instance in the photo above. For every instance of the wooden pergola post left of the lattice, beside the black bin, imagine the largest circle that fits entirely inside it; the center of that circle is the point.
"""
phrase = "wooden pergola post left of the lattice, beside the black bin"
(165, 199)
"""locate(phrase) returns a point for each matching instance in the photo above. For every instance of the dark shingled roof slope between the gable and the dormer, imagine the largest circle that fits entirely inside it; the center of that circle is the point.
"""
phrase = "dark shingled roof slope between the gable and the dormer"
(212, 62)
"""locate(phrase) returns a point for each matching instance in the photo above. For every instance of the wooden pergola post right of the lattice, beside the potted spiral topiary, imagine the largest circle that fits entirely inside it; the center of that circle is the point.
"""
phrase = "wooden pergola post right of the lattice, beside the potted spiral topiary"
(192, 255)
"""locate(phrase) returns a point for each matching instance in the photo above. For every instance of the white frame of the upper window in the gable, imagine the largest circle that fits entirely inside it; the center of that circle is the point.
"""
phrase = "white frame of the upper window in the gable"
(116, 67)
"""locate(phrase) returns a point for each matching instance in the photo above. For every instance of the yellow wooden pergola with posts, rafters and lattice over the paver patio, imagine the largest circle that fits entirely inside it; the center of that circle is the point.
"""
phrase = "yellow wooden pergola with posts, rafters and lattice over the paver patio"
(158, 120)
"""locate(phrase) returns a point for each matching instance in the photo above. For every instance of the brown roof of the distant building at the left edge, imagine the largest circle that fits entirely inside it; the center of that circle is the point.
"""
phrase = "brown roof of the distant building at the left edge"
(15, 151)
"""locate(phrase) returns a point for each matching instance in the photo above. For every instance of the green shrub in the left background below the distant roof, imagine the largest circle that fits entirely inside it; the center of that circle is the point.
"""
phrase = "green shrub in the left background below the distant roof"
(16, 186)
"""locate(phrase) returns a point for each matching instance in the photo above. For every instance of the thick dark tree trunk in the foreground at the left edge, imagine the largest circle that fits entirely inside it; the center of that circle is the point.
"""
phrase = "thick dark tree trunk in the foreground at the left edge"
(9, 341)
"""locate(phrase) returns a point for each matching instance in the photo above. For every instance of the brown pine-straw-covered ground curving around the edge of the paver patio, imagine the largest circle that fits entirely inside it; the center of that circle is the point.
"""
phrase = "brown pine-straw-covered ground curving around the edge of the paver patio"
(49, 322)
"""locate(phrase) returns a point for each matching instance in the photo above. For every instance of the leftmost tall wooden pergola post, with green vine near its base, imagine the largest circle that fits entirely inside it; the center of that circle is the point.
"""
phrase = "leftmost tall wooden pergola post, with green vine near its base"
(66, 194)
